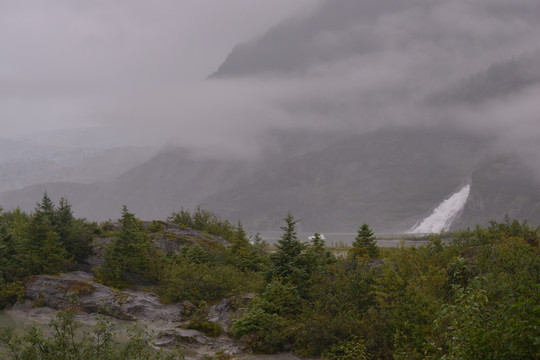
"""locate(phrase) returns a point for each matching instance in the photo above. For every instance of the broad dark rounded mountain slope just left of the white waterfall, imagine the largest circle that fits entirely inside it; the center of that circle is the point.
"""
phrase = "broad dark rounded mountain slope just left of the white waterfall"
(389, 178)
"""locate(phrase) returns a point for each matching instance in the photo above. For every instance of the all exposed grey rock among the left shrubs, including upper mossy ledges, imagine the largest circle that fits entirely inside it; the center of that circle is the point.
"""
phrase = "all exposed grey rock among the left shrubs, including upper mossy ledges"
(171, 323)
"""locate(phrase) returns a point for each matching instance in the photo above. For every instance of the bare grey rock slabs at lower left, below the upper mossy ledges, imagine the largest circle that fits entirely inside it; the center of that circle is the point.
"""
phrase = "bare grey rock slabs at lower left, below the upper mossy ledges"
(46, 294)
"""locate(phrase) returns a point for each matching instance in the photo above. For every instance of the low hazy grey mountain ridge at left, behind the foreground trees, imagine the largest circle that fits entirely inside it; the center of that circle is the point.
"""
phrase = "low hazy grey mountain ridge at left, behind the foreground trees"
(154, 189)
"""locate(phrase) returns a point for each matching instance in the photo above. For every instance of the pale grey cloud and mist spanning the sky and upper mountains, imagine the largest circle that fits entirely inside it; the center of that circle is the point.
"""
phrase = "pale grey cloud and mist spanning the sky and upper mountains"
(136, 66)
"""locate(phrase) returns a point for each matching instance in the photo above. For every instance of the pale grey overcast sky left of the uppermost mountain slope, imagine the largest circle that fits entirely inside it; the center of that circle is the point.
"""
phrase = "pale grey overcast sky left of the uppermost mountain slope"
(64, 62)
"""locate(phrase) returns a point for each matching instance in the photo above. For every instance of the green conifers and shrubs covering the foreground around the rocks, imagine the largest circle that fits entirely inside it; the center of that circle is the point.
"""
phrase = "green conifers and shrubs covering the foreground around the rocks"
(474, 297)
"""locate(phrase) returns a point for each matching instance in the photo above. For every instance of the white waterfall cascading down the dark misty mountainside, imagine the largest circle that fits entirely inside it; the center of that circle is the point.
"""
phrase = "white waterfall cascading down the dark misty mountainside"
(442, 217)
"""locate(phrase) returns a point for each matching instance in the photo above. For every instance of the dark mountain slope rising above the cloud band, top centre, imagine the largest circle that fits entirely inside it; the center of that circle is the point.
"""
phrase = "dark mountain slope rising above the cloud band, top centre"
(297, 43)
